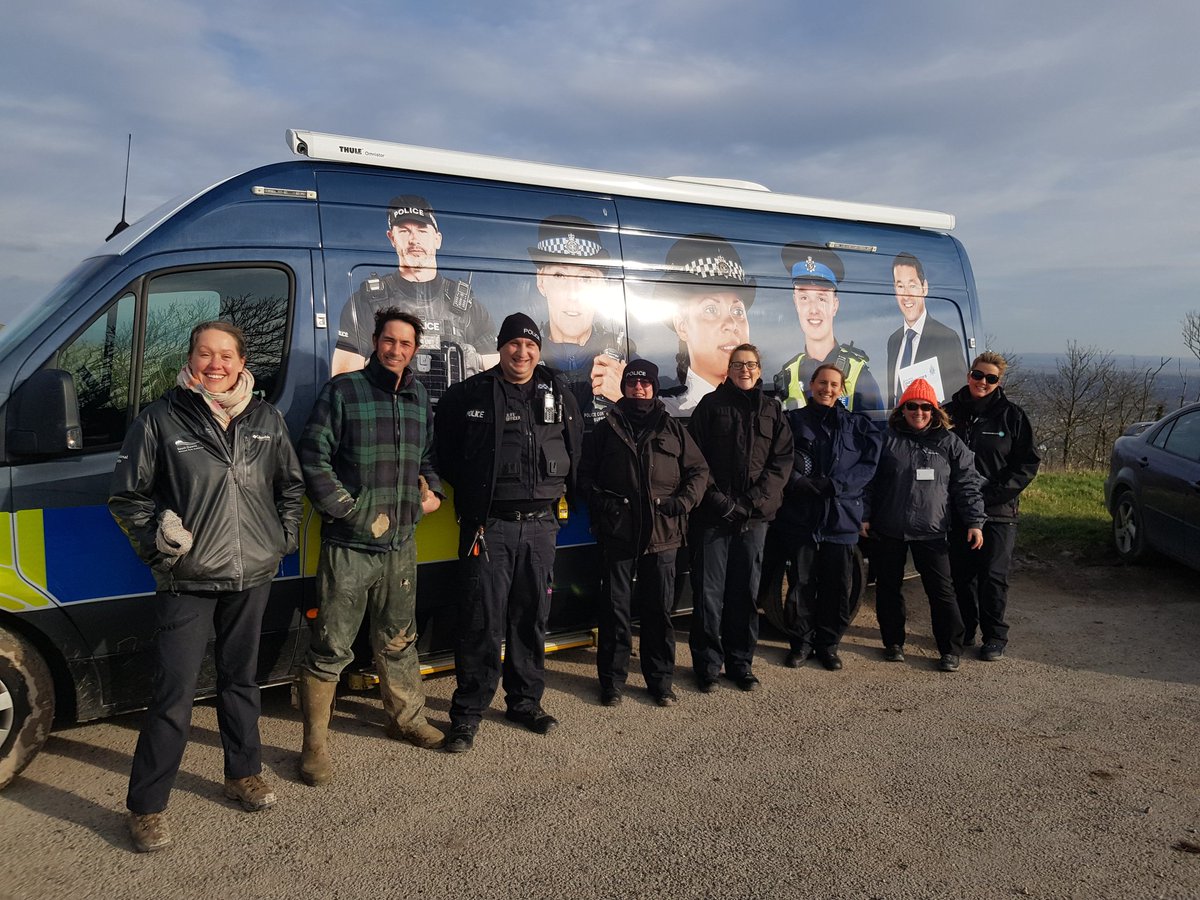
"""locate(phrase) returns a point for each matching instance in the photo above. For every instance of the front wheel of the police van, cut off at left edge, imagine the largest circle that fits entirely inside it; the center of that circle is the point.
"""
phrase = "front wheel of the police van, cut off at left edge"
(27, 705)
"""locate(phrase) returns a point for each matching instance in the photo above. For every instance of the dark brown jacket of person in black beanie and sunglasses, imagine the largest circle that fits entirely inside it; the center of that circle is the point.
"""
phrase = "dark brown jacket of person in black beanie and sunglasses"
(641, 488)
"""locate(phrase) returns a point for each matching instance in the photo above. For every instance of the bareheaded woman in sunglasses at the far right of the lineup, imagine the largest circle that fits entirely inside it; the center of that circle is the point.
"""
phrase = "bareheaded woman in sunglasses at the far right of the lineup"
(1000, 436)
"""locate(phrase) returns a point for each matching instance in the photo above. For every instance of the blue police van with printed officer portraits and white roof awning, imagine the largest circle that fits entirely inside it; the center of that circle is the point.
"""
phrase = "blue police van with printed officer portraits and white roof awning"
(283, 250)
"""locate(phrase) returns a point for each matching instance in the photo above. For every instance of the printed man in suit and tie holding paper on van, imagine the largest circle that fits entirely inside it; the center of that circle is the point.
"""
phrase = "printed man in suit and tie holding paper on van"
(922, 338)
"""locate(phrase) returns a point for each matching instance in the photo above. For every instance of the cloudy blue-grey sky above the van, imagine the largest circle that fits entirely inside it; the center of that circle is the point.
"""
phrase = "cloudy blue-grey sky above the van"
(1064, 136)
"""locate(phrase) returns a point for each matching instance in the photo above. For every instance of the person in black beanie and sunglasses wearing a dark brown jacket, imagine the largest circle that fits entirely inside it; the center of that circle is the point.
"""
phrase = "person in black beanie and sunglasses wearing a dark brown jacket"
(641, 476)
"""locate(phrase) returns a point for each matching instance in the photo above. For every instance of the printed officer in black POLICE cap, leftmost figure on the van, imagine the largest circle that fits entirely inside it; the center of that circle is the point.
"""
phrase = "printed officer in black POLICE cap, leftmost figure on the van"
(455, 323)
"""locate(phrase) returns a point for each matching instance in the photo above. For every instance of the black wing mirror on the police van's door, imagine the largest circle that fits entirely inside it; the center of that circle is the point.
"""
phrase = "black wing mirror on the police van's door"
(44, 416)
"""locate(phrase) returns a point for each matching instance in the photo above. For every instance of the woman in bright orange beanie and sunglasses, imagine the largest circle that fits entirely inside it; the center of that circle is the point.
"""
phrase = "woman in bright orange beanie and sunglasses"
(925, 471)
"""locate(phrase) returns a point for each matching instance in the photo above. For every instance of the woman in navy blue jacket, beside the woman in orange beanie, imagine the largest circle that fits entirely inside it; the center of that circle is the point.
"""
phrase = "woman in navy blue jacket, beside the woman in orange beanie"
(818, 526)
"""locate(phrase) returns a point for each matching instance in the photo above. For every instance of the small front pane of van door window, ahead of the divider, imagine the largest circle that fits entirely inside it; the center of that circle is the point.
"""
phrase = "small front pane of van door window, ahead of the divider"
(99, 361)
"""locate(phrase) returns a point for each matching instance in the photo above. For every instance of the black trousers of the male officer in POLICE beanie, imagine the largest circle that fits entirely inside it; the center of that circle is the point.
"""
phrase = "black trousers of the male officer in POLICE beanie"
(505, 601)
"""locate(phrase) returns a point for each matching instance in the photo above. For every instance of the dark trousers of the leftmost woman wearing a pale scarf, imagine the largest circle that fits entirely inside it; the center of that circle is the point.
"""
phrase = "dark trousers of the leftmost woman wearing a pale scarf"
(185, 625)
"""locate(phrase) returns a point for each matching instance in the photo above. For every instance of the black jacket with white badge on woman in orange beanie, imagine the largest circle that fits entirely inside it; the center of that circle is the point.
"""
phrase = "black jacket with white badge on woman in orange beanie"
(921, 476)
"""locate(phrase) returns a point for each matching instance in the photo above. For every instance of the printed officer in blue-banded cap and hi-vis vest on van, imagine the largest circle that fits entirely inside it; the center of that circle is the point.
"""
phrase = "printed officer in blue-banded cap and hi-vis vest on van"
(817, 274)
